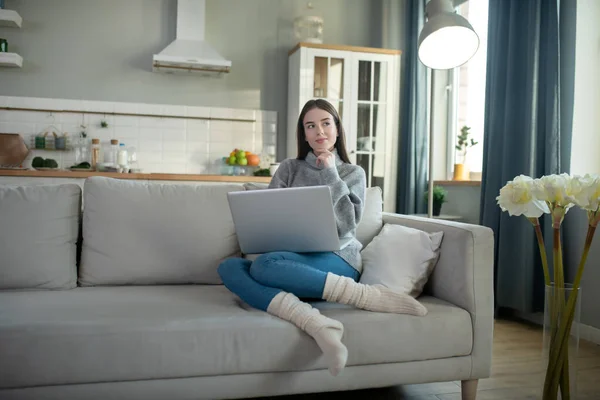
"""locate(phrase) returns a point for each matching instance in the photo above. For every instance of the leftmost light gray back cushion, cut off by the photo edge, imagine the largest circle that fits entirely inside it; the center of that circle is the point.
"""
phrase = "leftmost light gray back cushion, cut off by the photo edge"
(39, 230)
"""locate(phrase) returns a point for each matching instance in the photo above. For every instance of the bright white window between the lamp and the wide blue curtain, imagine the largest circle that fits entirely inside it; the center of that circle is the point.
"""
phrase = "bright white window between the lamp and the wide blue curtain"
(467, 105)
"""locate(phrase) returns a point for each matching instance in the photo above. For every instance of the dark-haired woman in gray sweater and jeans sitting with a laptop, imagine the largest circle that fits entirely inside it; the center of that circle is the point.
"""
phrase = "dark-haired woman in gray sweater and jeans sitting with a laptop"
(275, 281)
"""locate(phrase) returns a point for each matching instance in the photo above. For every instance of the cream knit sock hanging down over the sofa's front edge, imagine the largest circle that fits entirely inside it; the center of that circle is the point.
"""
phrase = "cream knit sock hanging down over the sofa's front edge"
(327, 332)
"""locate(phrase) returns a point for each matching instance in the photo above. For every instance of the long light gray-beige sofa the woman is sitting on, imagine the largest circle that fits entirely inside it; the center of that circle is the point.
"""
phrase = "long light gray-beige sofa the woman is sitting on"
(144, 316)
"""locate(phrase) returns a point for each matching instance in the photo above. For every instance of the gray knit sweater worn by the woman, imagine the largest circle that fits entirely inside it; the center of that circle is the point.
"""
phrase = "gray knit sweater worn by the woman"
(347, 183)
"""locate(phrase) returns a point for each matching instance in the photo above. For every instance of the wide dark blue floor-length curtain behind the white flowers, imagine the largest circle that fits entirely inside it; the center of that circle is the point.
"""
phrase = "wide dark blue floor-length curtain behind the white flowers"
(528, 120)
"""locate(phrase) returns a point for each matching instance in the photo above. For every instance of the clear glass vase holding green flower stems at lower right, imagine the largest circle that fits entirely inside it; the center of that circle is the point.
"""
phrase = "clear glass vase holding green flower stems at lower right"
(555, 313)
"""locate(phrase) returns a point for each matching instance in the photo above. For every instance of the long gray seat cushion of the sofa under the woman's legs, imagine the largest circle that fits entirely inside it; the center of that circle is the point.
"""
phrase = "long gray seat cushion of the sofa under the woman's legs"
(103, 334)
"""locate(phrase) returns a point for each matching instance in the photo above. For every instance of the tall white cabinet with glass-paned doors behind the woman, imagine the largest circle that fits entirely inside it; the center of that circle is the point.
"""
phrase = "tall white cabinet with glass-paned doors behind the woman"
(364, 86)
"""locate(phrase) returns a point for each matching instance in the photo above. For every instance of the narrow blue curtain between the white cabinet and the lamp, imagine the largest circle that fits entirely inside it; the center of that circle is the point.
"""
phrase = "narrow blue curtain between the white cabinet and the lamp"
(413, 147)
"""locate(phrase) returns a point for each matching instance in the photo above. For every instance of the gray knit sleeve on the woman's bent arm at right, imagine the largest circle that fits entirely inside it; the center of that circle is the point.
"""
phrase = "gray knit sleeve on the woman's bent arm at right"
(348, 196)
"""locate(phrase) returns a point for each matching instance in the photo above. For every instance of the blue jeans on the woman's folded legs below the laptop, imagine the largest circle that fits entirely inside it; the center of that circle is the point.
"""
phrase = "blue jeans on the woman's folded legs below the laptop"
(303, 274)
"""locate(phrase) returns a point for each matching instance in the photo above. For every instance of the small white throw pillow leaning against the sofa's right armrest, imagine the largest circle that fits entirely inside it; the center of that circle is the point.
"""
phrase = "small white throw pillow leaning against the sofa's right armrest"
(401, 258)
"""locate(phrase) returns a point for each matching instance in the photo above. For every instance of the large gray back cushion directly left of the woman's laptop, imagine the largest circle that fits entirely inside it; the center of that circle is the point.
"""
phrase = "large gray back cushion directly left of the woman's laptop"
(151, 233)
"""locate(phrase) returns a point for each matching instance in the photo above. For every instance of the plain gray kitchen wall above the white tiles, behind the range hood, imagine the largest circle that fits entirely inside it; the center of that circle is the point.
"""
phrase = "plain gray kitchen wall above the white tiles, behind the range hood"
(102, 50)
